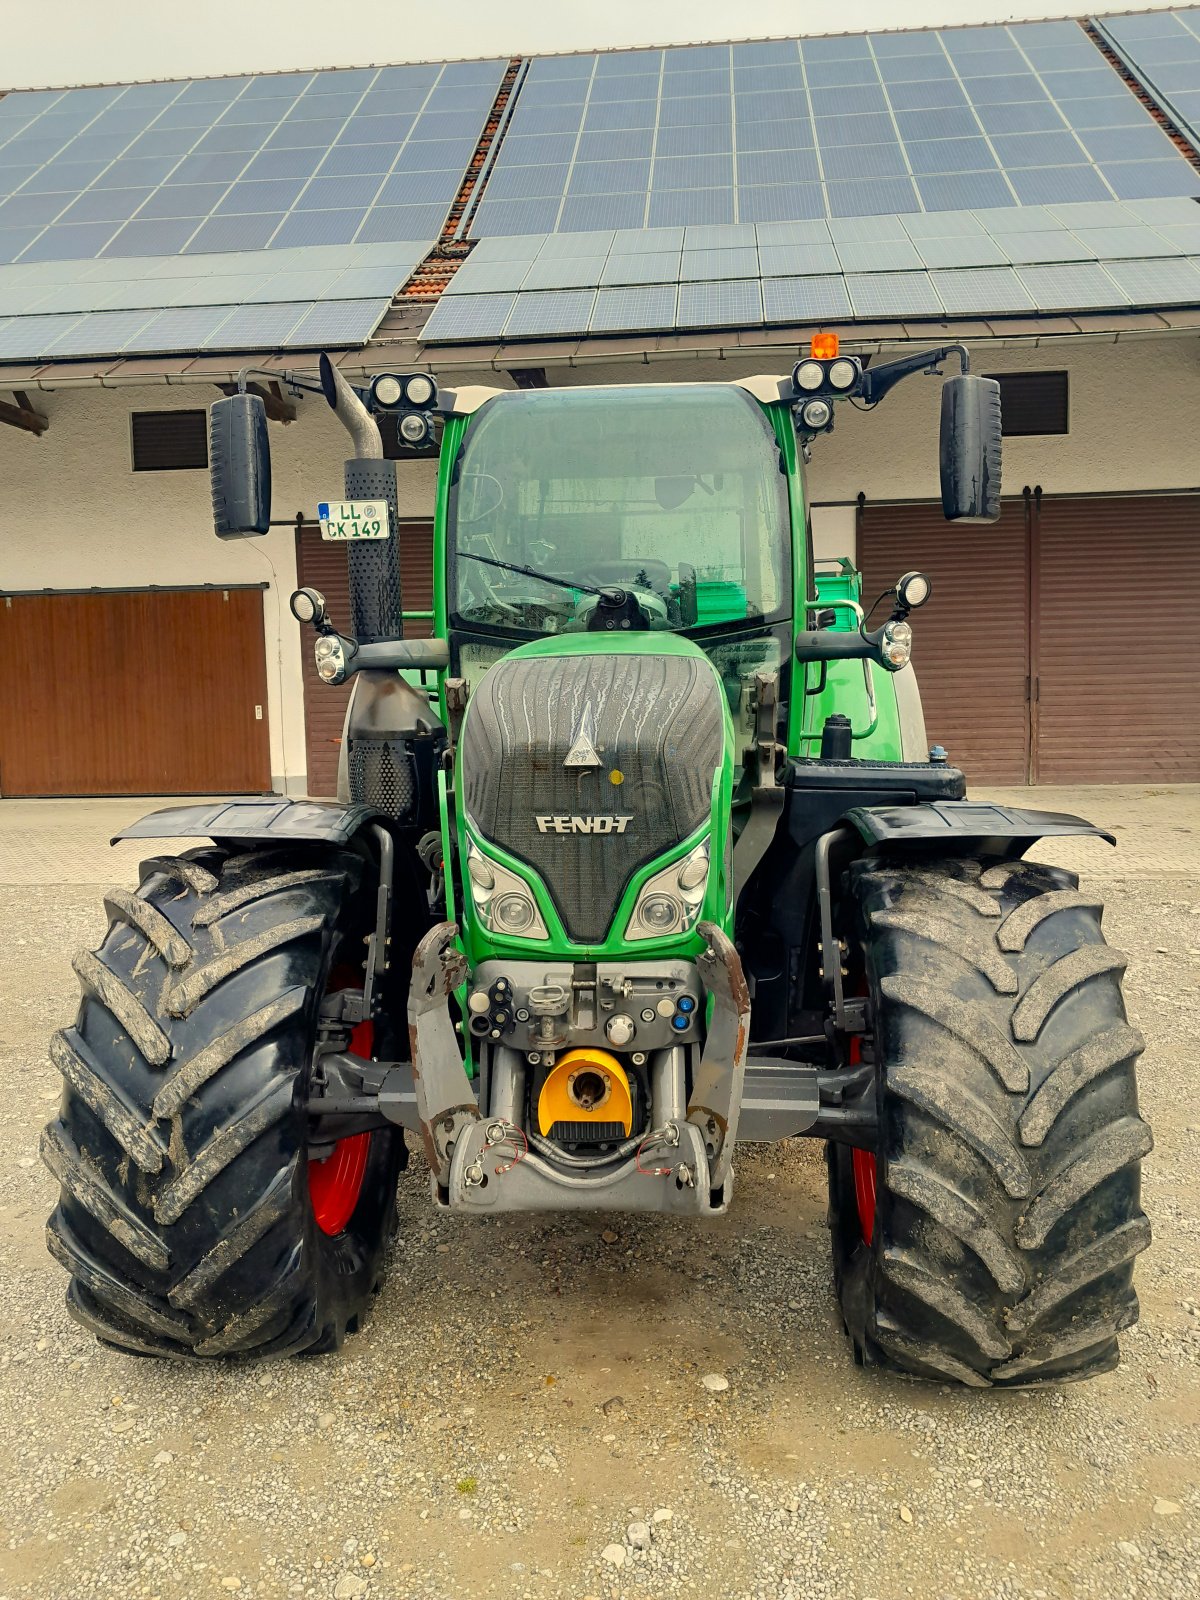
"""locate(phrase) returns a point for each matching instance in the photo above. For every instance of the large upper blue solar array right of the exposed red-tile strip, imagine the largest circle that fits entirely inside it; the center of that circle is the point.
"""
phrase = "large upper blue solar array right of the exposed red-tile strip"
(852, 126)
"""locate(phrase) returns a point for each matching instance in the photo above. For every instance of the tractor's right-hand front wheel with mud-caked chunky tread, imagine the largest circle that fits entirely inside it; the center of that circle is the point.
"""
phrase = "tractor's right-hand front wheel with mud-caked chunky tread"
(1007, 1215)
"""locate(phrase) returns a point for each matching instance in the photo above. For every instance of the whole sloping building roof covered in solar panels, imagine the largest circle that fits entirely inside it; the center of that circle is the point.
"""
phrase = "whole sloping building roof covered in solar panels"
(1006, 172)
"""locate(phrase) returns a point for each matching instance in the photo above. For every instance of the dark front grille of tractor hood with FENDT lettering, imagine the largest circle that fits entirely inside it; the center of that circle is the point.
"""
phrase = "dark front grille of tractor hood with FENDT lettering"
(590, 756)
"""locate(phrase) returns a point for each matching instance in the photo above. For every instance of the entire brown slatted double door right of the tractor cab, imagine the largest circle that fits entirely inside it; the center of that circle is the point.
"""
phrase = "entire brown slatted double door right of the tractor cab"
(1057, 647)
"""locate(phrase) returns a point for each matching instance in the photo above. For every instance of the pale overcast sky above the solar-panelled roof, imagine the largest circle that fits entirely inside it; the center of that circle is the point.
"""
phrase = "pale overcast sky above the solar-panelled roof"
(62, 42)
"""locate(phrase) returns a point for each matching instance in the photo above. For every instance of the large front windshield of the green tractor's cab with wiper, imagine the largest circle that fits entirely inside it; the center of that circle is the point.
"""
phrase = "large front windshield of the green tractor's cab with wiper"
(674, 494)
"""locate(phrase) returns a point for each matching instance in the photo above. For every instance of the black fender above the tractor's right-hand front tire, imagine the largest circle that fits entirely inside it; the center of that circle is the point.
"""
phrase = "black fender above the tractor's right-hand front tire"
(953, 825)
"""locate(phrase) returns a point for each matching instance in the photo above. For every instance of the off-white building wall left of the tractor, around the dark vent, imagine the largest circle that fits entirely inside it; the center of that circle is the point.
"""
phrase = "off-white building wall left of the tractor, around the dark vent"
(95, 522)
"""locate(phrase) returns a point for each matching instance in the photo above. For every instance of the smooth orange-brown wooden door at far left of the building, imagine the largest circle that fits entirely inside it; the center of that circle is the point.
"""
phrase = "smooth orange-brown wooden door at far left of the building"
(134, 692)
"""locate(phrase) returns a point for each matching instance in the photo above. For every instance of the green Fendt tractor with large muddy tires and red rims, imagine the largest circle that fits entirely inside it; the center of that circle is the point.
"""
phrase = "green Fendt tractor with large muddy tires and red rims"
(642, 855)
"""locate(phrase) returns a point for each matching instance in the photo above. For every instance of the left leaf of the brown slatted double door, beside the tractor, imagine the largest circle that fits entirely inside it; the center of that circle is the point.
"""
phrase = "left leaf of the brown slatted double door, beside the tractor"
(970, 639)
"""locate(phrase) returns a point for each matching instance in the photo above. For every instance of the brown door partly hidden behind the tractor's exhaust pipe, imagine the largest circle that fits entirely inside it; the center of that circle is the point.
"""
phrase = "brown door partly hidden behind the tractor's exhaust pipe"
(322, 566)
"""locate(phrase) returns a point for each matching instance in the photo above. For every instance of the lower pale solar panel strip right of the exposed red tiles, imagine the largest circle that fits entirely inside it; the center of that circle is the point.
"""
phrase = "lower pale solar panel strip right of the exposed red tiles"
(1010, 260)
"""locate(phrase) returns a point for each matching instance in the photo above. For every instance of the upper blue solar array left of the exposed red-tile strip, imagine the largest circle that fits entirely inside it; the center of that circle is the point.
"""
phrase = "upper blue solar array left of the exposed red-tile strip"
(354, 156)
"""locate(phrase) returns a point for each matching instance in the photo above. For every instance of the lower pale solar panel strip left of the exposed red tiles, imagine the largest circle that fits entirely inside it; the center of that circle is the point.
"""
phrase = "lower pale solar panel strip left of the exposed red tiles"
(233, 302)
